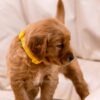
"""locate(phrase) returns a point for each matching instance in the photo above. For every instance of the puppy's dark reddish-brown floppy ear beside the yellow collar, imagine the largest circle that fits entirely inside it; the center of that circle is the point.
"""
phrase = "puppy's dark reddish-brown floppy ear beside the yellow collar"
(38, 45)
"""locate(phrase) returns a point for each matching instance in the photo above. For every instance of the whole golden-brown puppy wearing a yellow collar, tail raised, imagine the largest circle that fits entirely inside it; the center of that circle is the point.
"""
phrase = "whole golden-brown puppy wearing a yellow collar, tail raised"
(38, 54)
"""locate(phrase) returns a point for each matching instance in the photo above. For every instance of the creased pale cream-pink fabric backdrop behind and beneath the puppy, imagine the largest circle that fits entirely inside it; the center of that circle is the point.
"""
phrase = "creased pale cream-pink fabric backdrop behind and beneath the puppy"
(83, 21)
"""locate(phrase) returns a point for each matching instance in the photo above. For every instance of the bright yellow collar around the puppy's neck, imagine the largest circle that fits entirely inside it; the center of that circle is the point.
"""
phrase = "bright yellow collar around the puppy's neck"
(27, 50)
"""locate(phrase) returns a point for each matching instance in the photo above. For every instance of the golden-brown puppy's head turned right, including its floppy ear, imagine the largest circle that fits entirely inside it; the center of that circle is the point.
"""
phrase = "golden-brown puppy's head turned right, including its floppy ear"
(49, 41)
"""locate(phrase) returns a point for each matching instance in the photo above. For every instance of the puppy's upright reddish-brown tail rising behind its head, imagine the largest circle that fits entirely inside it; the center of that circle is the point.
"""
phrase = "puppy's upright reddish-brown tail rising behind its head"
(60, 11)
